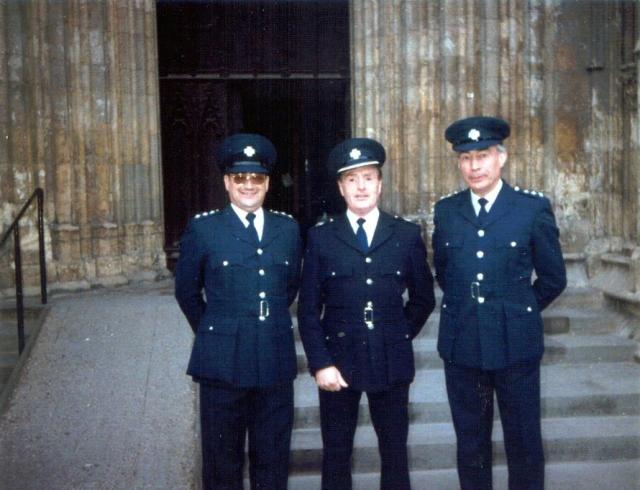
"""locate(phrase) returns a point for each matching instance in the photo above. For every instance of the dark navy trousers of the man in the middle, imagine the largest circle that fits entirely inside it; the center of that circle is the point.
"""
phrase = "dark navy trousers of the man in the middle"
(339, 418)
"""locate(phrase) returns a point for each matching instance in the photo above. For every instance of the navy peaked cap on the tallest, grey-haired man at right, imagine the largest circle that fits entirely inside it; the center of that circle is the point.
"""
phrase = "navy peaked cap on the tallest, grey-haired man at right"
(476, 133)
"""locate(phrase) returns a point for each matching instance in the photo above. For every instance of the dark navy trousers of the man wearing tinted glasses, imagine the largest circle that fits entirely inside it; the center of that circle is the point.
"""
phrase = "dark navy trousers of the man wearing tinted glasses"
(227, 414)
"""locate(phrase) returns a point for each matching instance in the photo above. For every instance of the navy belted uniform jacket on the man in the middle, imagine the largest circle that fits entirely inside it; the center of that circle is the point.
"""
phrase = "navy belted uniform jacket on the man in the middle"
(371, 349)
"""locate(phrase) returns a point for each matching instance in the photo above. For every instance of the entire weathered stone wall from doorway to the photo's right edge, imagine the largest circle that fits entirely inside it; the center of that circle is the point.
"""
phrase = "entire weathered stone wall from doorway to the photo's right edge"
(554, 69)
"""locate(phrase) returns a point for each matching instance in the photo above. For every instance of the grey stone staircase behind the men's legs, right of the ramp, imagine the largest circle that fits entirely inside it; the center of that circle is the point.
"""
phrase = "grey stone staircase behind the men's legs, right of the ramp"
(590, 399)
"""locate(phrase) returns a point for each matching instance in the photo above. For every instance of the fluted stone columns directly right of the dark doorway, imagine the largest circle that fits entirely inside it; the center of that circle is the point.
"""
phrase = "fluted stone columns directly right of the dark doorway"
(418, 66)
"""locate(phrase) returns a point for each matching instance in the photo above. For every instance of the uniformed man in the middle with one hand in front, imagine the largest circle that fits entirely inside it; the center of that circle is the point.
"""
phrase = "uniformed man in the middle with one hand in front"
(356, 268)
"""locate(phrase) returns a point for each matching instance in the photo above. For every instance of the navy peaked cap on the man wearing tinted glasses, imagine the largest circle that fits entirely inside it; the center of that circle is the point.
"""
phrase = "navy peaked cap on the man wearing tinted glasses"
(244, 152)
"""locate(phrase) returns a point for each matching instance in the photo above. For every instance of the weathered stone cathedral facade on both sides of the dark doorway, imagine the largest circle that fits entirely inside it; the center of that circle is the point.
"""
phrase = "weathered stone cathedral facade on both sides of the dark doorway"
(80, 117)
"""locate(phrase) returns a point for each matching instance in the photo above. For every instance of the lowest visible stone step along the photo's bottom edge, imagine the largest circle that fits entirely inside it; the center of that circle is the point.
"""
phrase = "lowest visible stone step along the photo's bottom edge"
(589, 475)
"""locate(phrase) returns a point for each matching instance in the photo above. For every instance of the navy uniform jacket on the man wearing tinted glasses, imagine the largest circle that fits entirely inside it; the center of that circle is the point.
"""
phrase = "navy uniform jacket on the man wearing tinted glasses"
(243, 330)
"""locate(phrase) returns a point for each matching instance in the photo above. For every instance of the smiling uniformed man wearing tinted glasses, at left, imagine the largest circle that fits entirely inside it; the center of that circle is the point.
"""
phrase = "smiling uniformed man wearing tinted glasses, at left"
(246, 260)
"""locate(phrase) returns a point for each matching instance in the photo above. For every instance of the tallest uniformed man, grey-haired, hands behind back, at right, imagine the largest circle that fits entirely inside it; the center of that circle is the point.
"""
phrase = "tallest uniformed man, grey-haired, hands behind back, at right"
(487, 242)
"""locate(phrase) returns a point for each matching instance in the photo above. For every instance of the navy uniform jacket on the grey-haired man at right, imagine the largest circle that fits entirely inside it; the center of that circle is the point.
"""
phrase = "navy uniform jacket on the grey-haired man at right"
(490, 314)
